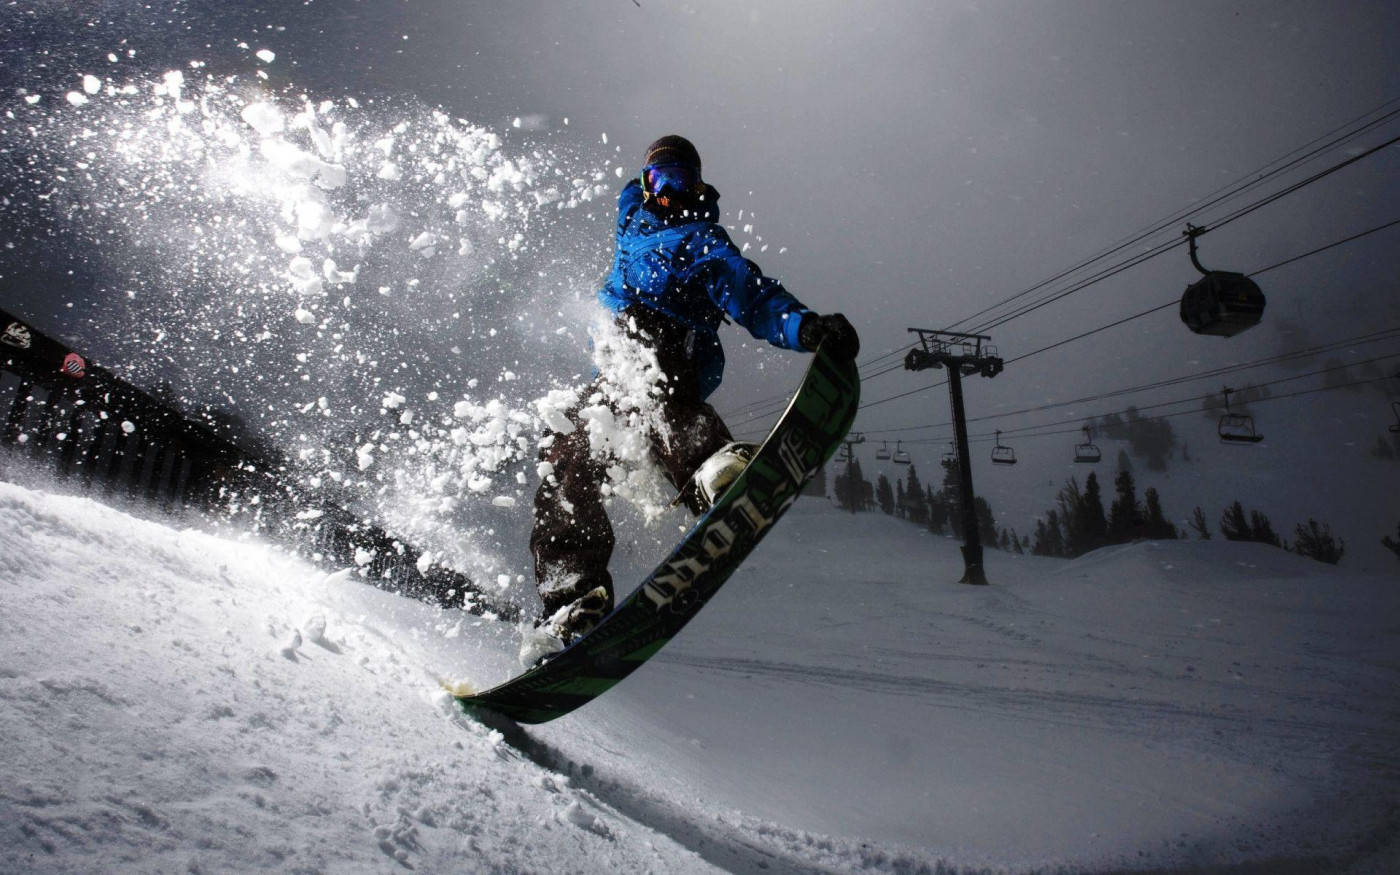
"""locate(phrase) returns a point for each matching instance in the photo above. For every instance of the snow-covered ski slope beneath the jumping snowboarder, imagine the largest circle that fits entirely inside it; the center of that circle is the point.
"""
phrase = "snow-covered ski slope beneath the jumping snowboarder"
(178, 702)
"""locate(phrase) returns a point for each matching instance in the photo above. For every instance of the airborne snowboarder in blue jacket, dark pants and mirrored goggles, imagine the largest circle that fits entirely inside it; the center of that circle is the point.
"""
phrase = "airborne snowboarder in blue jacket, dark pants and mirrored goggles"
(677, 276)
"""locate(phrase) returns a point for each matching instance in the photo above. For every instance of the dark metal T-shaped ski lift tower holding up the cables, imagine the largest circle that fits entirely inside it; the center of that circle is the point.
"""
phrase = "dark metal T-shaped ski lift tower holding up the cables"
(965, 355)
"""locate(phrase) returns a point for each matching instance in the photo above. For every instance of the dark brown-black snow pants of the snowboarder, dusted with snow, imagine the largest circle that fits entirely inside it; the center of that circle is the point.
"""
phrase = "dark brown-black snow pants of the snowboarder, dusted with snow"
(573, 540)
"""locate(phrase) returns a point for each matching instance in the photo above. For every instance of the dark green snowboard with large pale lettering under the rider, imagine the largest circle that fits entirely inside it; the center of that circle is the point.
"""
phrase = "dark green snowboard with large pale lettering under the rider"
(804, 439)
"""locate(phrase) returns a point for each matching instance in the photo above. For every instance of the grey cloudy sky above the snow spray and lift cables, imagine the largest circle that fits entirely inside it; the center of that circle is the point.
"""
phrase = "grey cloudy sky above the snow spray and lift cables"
(906, 163)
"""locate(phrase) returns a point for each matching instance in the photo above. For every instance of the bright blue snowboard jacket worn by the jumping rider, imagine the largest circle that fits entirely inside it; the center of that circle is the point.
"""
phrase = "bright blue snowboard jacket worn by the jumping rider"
(691, 271)
